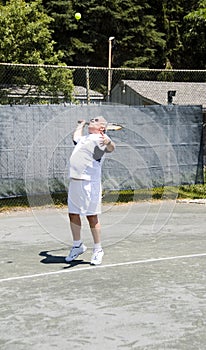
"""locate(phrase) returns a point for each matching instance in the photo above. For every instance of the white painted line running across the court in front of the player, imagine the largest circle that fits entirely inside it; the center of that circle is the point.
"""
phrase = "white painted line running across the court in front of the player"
(102, 266)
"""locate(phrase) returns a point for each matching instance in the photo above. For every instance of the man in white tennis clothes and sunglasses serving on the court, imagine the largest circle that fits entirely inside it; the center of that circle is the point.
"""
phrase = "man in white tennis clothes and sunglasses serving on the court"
(85, 192)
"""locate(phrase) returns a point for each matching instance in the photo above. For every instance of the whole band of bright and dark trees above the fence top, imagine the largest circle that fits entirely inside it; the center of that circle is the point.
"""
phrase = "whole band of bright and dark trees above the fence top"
(152, 34)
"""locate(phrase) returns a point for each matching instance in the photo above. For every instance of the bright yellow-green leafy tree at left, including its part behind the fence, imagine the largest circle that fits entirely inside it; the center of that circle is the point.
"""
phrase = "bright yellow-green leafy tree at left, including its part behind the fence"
(26, 38)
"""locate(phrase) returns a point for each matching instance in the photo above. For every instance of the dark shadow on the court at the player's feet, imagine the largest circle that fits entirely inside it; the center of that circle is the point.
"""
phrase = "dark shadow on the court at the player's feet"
(56, 259)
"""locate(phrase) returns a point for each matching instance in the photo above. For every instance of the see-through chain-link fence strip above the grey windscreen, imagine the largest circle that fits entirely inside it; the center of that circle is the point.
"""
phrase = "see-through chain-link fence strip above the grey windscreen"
(31, 84)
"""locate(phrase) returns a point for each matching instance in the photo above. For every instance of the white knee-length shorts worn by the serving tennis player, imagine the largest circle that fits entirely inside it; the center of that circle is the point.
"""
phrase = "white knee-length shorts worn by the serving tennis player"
(84, 197)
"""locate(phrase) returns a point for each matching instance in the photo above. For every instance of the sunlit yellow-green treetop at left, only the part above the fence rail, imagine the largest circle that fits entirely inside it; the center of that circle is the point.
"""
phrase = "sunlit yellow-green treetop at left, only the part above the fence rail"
(24, 34)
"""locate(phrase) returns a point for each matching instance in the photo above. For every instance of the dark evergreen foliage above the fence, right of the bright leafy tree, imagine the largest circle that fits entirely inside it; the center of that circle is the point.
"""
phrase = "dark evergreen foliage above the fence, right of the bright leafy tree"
(147, 34)
